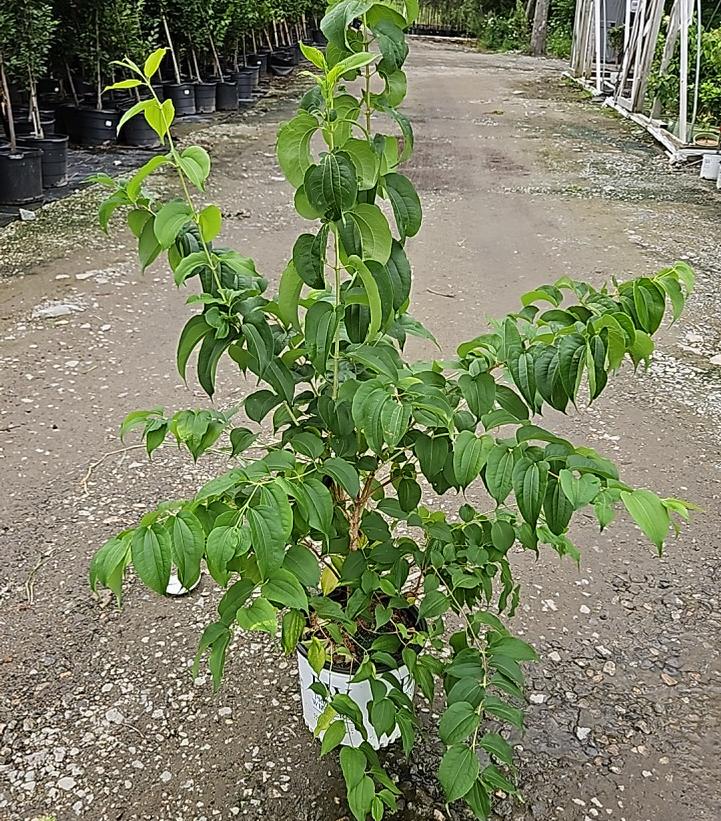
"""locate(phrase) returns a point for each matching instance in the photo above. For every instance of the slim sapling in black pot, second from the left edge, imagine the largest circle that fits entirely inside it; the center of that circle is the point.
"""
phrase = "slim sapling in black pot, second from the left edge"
(34, 28)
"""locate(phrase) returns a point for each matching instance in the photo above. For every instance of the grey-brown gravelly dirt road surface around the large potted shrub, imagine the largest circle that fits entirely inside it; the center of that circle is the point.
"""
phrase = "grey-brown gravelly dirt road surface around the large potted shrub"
(522, 181)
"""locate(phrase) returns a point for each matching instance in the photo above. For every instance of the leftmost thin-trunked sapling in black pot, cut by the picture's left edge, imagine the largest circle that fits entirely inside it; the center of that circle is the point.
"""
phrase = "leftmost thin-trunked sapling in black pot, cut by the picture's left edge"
(20, 167)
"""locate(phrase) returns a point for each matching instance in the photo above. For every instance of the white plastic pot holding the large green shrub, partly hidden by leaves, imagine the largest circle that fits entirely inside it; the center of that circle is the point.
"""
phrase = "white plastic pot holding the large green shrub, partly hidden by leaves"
(339, 682)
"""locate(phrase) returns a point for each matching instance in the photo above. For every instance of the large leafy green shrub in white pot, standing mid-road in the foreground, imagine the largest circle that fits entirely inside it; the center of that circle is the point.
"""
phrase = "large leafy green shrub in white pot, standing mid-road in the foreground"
(325, 538)
